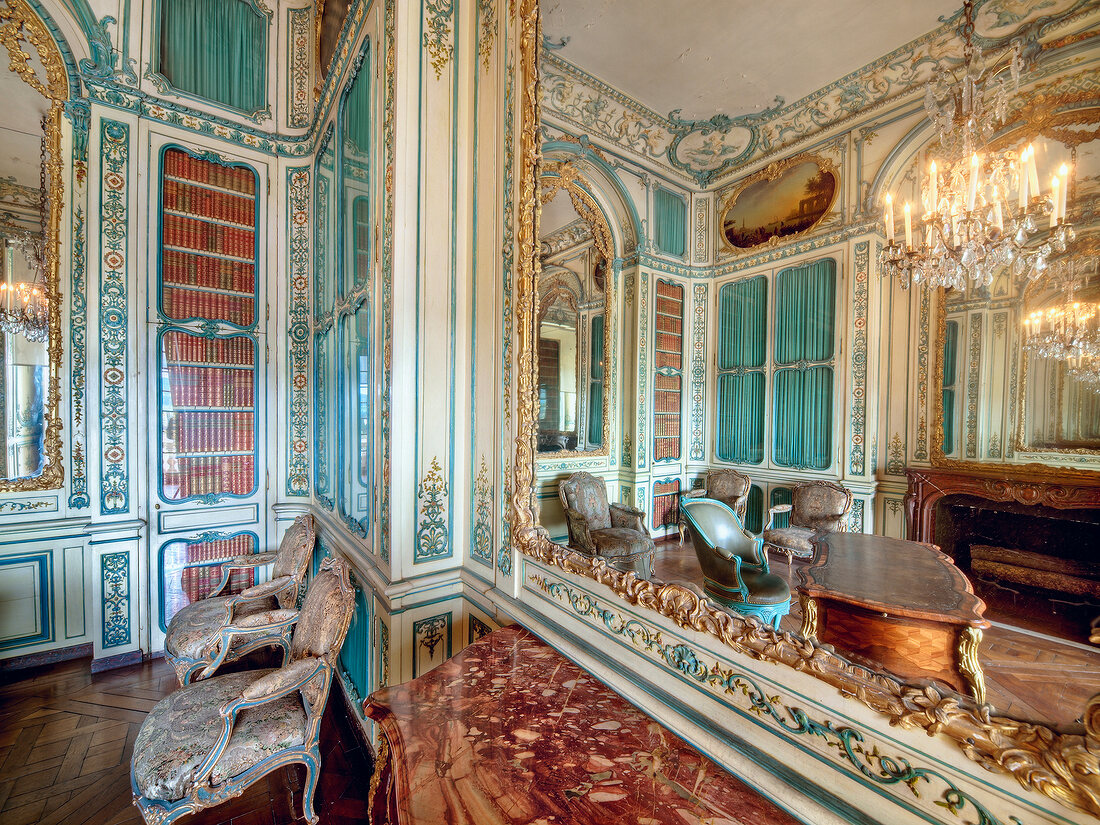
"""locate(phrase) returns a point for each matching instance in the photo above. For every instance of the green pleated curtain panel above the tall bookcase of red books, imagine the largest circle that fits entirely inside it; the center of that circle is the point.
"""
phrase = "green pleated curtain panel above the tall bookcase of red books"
(216, 50)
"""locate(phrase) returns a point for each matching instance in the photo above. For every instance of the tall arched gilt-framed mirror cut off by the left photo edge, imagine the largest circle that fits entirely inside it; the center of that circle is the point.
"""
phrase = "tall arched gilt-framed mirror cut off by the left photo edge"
(31, 202)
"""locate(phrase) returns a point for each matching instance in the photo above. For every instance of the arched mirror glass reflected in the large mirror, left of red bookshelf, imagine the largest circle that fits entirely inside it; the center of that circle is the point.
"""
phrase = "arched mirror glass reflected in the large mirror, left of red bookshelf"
(573, 326)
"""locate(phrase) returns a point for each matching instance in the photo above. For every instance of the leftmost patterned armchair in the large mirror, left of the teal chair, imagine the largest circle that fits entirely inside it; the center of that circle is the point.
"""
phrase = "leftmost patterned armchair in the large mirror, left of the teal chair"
(617, 532)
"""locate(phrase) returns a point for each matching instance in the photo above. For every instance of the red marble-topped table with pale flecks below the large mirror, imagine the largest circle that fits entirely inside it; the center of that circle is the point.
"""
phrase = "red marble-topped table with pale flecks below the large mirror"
(511, 732)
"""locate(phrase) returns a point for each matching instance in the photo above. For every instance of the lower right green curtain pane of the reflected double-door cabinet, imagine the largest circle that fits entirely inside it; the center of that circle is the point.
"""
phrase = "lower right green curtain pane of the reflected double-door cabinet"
(804, 419)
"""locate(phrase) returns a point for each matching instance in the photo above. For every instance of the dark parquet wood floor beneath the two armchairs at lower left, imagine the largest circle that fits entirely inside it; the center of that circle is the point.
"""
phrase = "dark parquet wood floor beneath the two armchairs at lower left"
(67, 739)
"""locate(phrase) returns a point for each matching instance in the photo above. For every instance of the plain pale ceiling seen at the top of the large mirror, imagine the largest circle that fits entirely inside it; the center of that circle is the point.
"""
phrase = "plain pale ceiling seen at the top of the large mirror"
(731, 57)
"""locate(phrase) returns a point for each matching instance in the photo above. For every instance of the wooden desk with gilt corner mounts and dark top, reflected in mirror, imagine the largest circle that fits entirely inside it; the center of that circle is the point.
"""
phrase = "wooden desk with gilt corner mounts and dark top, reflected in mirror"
(900, 604)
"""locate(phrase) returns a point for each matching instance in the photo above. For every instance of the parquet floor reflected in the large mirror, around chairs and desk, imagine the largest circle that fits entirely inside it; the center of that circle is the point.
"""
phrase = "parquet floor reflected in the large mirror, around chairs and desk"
(1027, 676)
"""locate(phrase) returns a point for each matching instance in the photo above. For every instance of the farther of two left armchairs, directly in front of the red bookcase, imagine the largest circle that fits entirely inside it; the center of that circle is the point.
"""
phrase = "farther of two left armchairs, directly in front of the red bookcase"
(223, 629)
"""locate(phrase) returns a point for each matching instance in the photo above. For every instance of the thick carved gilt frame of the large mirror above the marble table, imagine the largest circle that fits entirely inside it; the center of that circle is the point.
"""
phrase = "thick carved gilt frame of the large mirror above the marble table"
(1065, 767)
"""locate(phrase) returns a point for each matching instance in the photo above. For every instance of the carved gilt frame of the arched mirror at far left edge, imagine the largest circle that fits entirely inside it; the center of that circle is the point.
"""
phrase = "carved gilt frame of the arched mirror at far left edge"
(21, 28)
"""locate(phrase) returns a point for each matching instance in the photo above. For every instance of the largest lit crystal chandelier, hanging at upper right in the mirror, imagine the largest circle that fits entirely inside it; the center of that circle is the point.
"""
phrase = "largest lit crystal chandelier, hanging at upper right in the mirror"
(982, 210)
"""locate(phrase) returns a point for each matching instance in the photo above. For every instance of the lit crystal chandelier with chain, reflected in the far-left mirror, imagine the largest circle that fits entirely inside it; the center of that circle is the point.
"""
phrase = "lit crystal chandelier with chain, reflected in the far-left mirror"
(25, 309)
